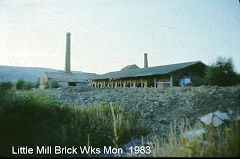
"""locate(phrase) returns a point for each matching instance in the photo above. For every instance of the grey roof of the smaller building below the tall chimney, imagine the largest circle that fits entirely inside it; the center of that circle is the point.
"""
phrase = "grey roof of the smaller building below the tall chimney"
(70, 77)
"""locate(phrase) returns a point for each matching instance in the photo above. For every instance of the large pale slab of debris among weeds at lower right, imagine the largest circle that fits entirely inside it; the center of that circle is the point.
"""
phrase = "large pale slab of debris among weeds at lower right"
(215, 118)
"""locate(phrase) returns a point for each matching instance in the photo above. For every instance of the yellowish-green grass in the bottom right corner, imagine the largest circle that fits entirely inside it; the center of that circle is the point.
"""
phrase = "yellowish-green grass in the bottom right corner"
(216, 142)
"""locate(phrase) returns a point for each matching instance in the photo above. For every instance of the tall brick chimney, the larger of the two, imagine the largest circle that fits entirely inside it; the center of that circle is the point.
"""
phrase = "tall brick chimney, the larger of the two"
(68, 54)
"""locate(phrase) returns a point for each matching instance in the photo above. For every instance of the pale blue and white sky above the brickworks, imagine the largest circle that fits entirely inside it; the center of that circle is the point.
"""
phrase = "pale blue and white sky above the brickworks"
(110, 34)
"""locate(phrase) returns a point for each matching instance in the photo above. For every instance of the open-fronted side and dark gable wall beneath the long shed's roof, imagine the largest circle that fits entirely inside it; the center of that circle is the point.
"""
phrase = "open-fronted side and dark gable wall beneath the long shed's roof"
(195, 72)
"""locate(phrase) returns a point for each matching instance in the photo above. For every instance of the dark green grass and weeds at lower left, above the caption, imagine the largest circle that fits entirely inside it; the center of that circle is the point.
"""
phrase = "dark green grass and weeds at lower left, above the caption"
(34, 120)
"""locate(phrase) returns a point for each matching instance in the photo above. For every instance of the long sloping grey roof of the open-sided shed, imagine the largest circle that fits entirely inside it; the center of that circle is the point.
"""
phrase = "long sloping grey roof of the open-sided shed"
(157, 70)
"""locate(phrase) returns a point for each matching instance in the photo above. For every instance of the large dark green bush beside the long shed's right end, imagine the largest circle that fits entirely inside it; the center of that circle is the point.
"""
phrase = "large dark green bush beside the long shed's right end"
(221, 73)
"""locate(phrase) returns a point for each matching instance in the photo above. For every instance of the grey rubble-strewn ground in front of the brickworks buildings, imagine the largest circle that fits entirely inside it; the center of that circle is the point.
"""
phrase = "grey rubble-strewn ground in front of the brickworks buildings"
(158, 106)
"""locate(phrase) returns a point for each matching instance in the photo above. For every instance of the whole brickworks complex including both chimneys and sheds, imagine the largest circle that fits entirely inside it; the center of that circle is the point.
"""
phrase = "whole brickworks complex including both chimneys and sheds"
(180, 74)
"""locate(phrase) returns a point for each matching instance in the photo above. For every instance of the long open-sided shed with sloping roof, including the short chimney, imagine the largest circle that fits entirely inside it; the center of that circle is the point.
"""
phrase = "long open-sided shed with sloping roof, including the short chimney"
(179, 74)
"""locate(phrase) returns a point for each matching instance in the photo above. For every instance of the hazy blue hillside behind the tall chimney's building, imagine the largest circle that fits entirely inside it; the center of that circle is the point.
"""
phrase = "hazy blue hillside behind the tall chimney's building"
(13, 73)
